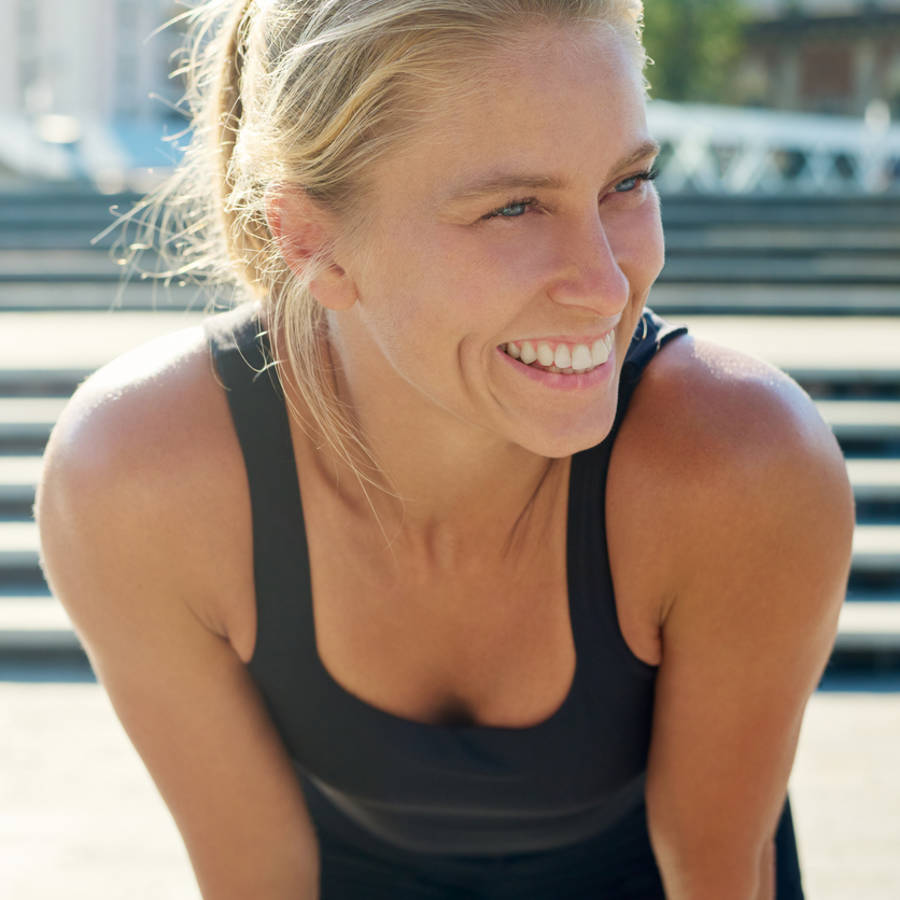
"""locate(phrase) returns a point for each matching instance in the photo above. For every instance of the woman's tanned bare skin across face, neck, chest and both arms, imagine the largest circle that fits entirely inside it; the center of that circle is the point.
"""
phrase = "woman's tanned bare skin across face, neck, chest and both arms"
(522, 211)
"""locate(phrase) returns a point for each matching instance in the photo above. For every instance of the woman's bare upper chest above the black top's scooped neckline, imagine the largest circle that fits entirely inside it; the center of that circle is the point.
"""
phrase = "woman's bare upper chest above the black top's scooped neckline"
(480, 642)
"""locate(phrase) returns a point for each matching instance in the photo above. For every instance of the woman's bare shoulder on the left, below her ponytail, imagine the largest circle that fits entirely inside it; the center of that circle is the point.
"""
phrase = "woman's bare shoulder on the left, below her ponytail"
(143, 467)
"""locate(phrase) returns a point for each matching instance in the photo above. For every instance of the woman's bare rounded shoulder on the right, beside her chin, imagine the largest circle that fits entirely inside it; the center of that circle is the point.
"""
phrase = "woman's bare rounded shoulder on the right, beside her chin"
(723, 455)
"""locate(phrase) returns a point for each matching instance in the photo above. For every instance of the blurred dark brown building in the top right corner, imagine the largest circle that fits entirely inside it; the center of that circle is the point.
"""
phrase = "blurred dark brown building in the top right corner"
(826, 56)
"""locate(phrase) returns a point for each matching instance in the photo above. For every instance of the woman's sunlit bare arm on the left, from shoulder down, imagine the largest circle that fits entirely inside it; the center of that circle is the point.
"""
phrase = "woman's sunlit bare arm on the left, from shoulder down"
(119, 522)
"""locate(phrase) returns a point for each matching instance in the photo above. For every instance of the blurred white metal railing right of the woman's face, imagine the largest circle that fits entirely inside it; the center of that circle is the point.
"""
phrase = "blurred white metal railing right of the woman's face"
(720, 149)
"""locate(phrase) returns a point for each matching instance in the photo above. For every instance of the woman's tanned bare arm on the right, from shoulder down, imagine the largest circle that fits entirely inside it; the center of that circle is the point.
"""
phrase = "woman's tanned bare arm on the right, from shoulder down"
(756, 527)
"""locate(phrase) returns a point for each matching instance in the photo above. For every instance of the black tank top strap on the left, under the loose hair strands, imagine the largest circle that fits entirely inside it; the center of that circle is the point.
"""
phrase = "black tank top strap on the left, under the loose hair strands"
(242, 357)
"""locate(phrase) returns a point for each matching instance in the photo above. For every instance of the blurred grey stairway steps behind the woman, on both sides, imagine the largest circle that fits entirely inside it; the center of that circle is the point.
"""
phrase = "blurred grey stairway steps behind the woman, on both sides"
(812, 285)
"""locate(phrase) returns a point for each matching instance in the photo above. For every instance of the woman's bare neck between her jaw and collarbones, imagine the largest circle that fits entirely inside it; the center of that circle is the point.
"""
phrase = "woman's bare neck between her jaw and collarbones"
(443, 489)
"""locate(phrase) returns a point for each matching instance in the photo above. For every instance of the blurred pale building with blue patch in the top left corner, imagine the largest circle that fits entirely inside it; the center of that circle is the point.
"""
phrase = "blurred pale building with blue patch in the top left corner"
(84, 87)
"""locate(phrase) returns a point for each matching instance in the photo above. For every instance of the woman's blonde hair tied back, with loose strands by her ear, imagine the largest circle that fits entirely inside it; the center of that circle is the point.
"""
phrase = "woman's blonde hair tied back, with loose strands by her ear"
(309, 93)
